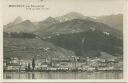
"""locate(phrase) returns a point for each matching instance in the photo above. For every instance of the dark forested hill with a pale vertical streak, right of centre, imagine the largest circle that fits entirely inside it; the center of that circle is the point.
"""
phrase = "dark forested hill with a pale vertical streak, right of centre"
(89, 43)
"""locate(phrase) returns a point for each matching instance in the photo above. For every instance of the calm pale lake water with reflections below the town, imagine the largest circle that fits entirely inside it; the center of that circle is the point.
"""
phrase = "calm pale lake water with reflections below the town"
(64, 75)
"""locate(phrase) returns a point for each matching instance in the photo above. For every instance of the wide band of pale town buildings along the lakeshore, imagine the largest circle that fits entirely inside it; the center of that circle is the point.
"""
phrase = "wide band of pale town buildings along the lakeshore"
(71, 63)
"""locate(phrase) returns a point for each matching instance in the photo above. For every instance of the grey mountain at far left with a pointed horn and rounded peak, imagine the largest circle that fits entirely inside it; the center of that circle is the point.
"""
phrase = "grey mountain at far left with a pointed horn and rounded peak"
(24, 26)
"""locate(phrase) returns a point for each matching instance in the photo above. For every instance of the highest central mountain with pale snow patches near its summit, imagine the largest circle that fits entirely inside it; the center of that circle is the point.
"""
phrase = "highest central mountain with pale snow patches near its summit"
(45, 26)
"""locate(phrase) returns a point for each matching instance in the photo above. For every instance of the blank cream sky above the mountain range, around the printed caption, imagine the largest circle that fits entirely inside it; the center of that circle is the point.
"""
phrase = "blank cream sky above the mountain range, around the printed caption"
(59, 8)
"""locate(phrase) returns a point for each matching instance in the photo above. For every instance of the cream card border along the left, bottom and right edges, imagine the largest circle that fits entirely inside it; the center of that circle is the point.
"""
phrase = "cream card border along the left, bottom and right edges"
(125, 73)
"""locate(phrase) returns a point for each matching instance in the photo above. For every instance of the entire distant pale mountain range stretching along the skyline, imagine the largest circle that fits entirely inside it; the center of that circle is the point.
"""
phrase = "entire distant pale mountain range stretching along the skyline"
(114, 21)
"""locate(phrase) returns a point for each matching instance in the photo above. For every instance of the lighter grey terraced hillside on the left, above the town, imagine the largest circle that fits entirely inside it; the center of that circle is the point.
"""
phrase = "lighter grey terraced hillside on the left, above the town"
(27, 48)
